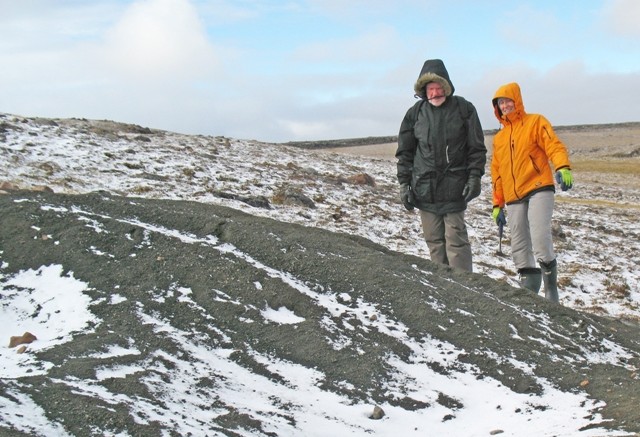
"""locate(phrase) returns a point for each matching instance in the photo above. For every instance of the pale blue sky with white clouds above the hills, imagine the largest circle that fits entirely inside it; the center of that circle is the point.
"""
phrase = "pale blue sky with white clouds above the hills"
(290, 70)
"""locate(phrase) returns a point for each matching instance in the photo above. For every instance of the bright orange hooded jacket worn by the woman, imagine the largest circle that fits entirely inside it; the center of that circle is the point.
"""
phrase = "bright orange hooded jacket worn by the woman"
(522, 150)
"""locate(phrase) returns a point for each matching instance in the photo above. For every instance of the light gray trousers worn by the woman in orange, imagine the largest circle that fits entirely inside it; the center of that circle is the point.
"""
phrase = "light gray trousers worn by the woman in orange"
(530, 226)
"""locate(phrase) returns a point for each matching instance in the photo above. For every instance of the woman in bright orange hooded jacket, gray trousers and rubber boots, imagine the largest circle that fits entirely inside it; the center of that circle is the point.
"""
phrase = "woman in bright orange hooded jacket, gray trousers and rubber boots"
(524, 151)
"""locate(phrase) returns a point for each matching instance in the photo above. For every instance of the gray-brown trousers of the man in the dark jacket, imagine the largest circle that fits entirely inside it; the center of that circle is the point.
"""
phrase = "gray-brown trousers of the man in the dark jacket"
(447, 239)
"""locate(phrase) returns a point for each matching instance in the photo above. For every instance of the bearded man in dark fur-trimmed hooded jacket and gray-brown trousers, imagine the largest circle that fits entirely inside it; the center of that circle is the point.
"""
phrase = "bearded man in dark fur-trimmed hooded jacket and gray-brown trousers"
(441, 158)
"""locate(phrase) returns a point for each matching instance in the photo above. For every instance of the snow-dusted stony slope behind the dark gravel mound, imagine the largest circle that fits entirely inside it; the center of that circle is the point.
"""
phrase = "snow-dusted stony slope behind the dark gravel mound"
(597, 231)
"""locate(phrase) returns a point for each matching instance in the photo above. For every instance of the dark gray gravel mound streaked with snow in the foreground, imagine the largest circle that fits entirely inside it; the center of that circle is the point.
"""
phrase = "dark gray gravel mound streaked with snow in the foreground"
(220, 254)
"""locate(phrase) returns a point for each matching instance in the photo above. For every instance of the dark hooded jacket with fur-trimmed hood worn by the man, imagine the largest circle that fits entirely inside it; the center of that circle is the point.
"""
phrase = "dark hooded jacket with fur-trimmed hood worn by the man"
(439, 147)
